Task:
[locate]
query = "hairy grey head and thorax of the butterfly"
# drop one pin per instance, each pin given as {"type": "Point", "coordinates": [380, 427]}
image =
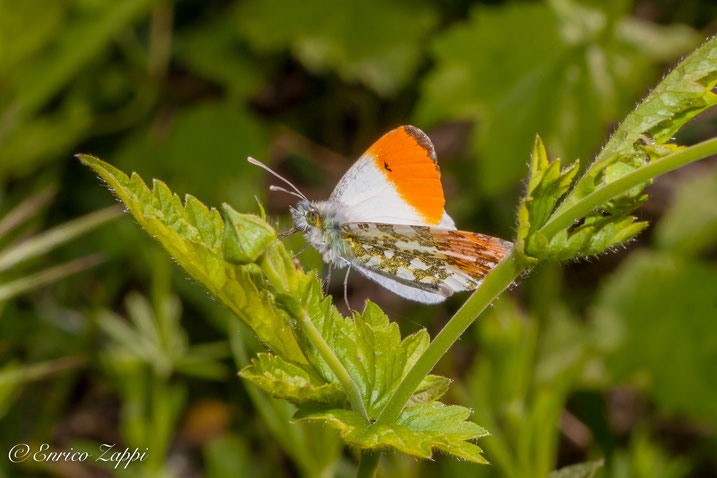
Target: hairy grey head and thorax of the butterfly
{"type": "Point", "coordinates": [320, 221]}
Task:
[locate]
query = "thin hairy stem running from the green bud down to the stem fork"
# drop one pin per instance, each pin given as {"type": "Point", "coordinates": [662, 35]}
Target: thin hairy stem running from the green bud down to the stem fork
{"type": "Point", "coordinates": [307, 326]}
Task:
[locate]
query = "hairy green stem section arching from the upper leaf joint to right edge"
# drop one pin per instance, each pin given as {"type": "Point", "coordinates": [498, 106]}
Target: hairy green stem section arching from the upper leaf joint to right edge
{"type": "Point", "coordinates": [563, 219]}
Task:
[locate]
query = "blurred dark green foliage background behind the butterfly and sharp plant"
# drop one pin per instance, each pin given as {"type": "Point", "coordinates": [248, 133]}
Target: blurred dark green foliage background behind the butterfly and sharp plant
{"type": "Point", "coordinates": [104, 340]}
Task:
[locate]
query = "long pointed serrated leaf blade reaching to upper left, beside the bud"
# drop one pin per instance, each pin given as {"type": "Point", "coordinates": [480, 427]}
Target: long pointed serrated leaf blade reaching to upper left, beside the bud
{"type": "Point", "coordinates": [193, 234]}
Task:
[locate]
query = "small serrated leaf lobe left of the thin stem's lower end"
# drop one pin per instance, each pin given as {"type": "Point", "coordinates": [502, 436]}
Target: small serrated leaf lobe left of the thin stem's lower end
{"type": "Point", "coordinates": [292, 383]}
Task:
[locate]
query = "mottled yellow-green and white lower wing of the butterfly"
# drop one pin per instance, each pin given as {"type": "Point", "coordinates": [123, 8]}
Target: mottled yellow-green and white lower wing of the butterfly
{"type": "Point", "coordinates": [437, 260]}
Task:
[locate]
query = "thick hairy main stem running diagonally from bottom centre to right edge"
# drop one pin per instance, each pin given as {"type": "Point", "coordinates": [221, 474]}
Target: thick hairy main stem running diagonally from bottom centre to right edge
{"type": "Point", "coordinates": [506, 272]}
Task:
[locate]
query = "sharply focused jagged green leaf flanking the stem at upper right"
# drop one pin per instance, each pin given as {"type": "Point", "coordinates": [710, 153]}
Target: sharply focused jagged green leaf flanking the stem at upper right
{"type": "Point", "coordinates": [643, 137]}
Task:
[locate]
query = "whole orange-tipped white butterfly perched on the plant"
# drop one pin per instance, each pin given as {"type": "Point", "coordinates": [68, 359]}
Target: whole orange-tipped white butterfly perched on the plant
{"type": "Point", "coordinates": [386, 219]}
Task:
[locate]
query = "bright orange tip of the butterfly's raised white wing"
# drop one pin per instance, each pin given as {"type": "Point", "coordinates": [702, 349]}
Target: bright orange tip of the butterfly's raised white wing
{"type": "Point", "coordinates": [407, 159]}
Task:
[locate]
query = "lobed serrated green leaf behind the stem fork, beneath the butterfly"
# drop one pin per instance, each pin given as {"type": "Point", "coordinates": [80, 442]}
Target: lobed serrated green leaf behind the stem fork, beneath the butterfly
{"type": "Point", "coordinates": [369, 346]}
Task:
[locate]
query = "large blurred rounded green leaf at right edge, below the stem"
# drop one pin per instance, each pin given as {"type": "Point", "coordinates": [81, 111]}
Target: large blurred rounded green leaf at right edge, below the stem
{"type": "Point", "coordinates": [654, 319]}
